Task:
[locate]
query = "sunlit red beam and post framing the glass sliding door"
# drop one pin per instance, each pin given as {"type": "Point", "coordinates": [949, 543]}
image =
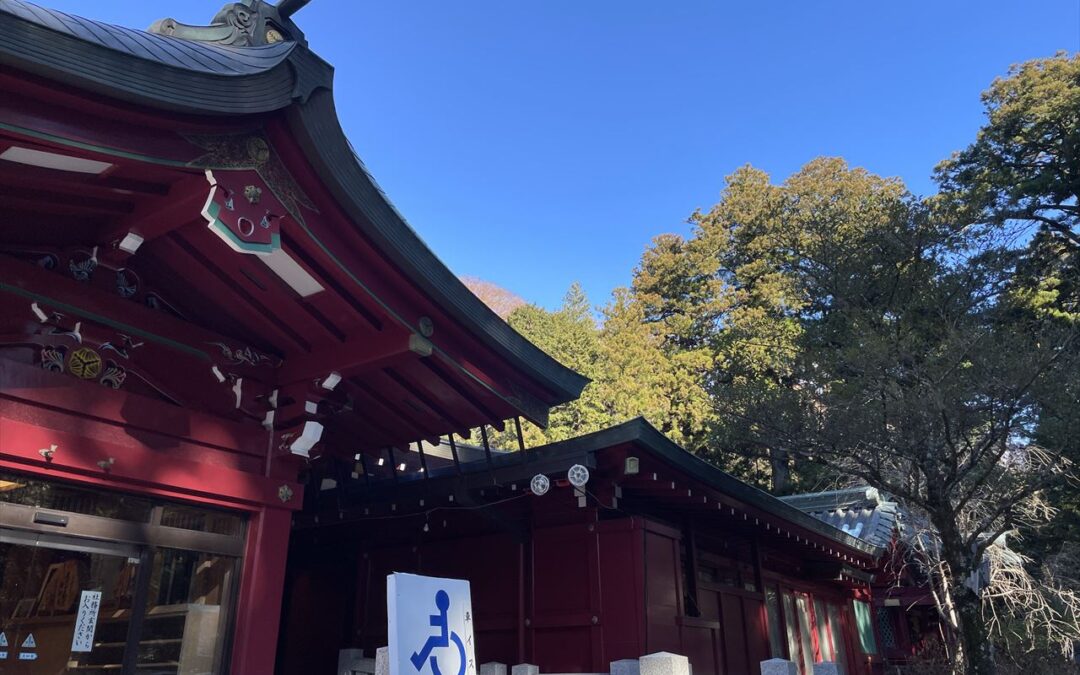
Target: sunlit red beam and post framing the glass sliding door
{"type": "Point", "coordinates": [163, 451]}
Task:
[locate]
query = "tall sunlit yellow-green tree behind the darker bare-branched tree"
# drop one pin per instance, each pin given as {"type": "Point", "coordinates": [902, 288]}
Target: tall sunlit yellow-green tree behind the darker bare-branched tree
{"type": "Point", "coordinates": [736, 296]}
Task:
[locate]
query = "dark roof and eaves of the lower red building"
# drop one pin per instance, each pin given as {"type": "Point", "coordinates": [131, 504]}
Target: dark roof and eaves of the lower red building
{"type": "Point", "coordinates": [660, 490]}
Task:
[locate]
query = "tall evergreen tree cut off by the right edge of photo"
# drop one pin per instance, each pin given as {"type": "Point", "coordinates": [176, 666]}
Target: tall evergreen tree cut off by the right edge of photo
{"type": "Point", "coordinates": [1022, 178]}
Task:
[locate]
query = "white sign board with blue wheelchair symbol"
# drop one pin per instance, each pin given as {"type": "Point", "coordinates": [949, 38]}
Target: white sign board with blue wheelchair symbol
{"type": "Point", "coordinates": [431, 626]}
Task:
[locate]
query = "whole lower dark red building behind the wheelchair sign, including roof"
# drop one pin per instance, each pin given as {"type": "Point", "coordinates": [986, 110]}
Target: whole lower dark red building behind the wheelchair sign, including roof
{"type": "Point", "coordinates": [659, 551]}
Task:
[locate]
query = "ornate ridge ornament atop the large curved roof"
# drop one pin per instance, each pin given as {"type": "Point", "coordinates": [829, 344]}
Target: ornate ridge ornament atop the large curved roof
{"type": "Point", "coordinates": [248, 23]}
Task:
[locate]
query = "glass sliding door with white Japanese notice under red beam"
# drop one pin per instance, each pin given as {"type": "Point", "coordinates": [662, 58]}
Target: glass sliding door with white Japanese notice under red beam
{"type": "Point", "coordinates": [93, 582]}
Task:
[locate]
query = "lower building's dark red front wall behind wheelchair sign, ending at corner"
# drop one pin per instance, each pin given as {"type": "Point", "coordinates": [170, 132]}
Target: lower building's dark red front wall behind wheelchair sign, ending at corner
{"type": "Point", "coordinates": [539, 599]}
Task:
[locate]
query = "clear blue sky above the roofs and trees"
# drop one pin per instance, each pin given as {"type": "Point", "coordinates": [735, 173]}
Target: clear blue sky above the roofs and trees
{"type": "Point", "coordinates": [536, 143]}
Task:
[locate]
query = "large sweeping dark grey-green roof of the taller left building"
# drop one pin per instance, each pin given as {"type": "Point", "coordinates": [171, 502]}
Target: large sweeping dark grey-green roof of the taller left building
{"type": "Point", "coordinates": [209, 78]}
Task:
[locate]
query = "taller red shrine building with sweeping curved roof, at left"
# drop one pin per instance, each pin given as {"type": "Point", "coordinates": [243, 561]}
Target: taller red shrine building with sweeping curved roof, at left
{"type": "Point", "coordinates": [202, 294]}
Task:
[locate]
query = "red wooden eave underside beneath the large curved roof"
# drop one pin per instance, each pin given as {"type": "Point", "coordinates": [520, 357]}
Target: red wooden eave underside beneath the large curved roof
{"type": "Point", "coordinates": [363, 326]}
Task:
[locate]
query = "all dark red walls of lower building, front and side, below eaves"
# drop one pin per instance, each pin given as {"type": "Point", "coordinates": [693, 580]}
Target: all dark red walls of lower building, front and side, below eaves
{"type": "Point", "coordinates": [570, 598]}
